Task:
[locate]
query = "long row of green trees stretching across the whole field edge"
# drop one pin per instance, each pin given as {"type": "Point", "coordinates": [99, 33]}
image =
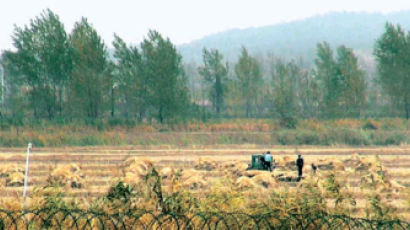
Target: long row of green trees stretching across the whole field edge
{"type": "Point", "coordinates": [52, 74]}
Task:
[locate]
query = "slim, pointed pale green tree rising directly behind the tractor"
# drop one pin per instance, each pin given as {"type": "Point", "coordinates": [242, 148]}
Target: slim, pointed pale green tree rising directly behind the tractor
{"type": "Point", "coordinates": [250, 80]}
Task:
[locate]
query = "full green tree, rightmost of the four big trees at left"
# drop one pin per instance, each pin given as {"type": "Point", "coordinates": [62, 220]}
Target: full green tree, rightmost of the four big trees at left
{"type": "Point", "coordinates": [163, 72]}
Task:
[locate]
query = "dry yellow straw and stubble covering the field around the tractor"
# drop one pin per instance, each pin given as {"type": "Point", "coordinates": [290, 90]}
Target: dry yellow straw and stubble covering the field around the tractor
{"type": "Point", "coordinates": [356, 177]}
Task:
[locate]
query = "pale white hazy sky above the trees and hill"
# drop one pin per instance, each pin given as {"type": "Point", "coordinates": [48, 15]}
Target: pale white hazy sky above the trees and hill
{"type": "Point", "coordinates": [181, 20]}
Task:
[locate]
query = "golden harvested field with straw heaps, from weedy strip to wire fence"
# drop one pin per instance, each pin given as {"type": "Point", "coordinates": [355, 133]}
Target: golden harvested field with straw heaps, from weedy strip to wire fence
{"type": "Point", "coordinates": [360, 181]}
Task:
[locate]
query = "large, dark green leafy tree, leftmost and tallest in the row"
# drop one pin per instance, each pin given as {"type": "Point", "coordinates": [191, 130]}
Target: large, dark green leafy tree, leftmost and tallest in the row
{"type": "Point", "coordinates": [43, 56]}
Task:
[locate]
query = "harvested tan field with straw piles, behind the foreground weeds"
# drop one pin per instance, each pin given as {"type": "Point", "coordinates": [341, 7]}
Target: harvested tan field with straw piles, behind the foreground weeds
{"type": "Point", "coordinates": [90, 172]}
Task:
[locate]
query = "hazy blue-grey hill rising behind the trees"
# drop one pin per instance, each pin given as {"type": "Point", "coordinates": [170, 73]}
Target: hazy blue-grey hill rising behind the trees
{"type": "Point", "coordinates": [299, 38]}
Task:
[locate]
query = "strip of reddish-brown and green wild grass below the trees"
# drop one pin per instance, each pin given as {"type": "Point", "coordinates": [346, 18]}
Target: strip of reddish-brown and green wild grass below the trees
{"type": "Point", "coordinates": [352, 132]}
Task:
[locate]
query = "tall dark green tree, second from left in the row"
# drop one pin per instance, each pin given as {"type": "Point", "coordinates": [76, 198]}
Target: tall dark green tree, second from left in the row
{"type": "Point", "coordinates": [91, 76]}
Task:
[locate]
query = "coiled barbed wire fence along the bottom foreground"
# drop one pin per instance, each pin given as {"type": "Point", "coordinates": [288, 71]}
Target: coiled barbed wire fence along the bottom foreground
{"type": "Point", "coordinates": [143, 219]}
